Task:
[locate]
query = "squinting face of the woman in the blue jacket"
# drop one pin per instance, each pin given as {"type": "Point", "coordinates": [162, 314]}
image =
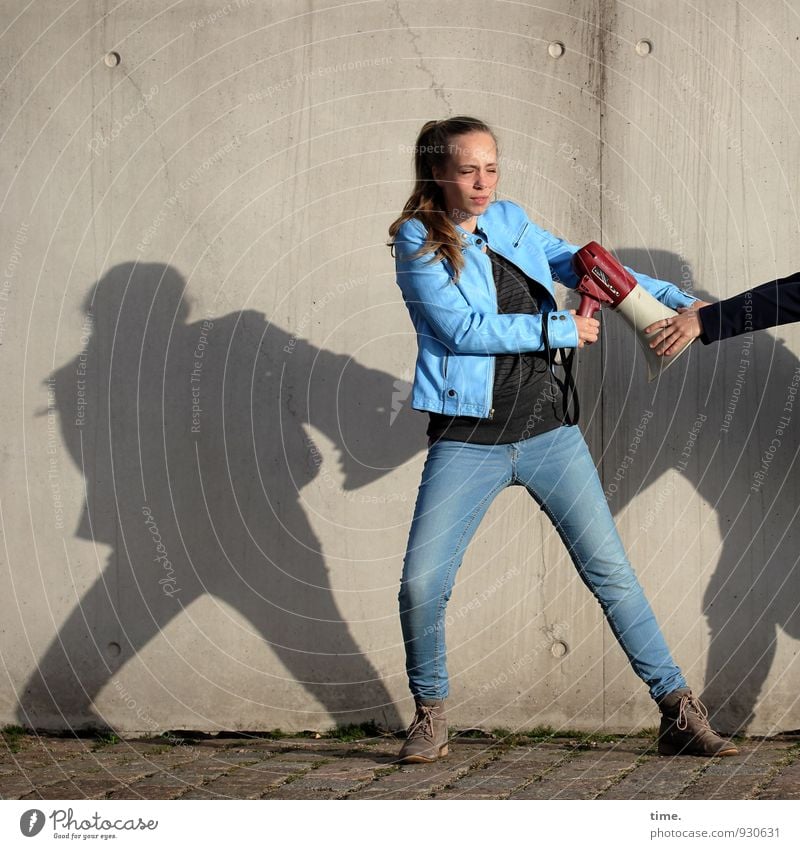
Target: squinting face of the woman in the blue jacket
{"type": "Point", "coordinates": [469, 178]}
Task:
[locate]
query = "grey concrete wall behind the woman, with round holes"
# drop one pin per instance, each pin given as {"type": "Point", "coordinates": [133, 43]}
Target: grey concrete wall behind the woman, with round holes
{"type": "Point", "coordinates": [209, 463]}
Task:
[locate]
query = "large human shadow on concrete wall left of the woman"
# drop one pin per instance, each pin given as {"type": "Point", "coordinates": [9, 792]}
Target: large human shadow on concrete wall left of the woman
{"type": "Point", "coordinates": [194, 455]}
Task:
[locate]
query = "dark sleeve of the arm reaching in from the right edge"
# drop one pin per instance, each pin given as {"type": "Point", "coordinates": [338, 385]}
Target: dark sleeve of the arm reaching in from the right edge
{"type": "Point", "coordinates": [768, 305]}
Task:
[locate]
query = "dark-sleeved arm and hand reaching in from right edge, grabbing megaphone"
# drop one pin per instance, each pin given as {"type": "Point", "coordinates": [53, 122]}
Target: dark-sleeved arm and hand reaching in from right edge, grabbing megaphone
{"type": "Point", "coordinates": [768, 305]}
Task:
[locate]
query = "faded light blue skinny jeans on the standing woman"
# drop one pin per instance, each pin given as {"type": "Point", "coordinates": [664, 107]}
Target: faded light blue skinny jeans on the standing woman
{"type": "Point", "coordinates": [459, 482]}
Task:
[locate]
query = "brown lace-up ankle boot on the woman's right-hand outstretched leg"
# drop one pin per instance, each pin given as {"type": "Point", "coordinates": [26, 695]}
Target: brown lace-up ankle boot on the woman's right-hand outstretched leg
{"type": "Point", "coordinates": [685, 729]}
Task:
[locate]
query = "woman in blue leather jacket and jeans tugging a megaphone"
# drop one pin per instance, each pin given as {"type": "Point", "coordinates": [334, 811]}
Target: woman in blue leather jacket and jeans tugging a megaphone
{"type": "Point", "coordinates": [477, 278]}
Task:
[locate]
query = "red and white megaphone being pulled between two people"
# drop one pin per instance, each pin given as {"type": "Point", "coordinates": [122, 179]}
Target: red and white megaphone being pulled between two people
{"type": "Point", "coordinates": [605, 281]}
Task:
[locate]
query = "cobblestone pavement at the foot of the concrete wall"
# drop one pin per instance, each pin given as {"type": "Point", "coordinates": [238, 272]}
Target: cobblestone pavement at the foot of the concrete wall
{"type": "Point", "coordinates": [247, 767]}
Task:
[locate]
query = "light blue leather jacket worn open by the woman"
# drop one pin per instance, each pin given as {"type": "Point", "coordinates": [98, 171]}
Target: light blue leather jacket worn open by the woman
{"type": "Point", "coordinates": [459, 329]}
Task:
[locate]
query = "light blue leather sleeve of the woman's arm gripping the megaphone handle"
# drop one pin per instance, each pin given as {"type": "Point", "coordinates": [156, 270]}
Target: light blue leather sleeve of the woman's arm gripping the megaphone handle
{"type": "Point", "coordinates": [427, 288]}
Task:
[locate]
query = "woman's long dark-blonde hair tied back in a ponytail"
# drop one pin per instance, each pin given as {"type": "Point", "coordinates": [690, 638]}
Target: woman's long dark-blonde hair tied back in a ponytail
{"type": "Point", "coordinates": [426, 202]}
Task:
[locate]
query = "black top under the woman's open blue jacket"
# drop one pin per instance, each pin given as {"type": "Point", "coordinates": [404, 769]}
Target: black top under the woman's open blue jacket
{"type": "Point", "coordinates": [526, 399]}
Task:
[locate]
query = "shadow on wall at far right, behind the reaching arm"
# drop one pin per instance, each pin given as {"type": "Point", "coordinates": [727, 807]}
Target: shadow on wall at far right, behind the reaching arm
{"type": "Point", "coordinates": [716, 416]}
